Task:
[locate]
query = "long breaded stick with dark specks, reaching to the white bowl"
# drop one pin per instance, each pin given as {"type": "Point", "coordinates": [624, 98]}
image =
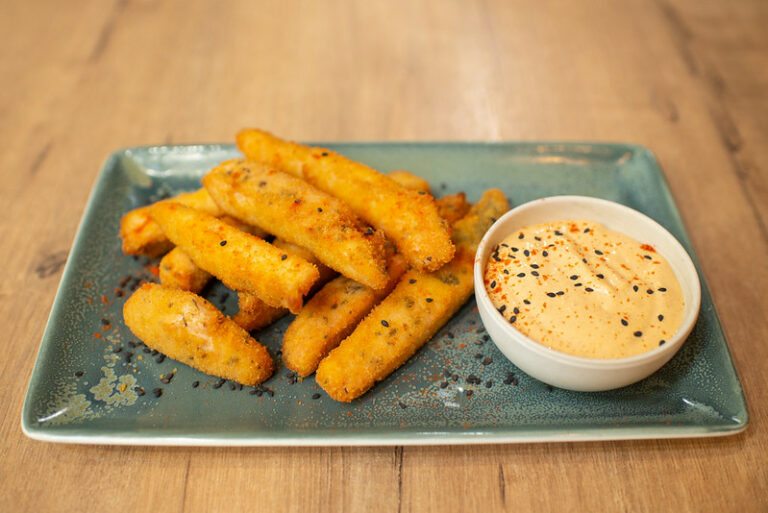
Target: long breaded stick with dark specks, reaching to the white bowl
{"type": "Point", "coordinates": [420, 304]}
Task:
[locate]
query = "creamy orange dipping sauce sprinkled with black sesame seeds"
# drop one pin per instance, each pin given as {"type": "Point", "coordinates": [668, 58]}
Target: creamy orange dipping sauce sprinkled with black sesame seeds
{"type": "Point", "coordinates": [582, 289]}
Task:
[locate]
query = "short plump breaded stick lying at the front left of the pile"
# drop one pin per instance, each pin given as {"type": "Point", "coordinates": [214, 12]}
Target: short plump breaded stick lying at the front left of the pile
{"type": "Point", "coordinates": [187, 328]}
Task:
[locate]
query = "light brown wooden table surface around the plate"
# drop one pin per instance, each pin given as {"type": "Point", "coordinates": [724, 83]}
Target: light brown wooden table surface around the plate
{"type": "Point", "coordinates": [687, 78]}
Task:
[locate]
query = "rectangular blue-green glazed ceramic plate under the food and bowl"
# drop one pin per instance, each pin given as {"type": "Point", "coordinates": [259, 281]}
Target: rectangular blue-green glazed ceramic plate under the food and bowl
{"type": "Point", "coordinates": [94, 383]}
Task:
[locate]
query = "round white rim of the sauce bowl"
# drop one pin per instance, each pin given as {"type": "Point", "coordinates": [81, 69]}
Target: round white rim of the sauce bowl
{"type": "Point", "coordinates": [691, 312]}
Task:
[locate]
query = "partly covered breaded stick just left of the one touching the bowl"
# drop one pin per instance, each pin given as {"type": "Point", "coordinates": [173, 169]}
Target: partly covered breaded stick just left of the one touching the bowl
{"type": "Point", "coordinates": [330, 316]}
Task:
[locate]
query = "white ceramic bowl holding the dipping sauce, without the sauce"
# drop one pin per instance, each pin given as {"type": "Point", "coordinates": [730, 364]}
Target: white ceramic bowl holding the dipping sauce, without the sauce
{"type": "Point", "coordinates": [575, 372]}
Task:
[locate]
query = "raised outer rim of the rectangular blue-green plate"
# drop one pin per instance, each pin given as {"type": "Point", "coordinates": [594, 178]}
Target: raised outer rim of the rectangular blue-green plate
{"type": "Point", "coordinates": [374, 438]}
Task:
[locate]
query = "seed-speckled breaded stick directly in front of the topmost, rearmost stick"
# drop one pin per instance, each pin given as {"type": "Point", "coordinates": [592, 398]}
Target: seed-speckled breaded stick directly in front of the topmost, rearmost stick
{"type": "Point", "coordinates": [295, 211]}
